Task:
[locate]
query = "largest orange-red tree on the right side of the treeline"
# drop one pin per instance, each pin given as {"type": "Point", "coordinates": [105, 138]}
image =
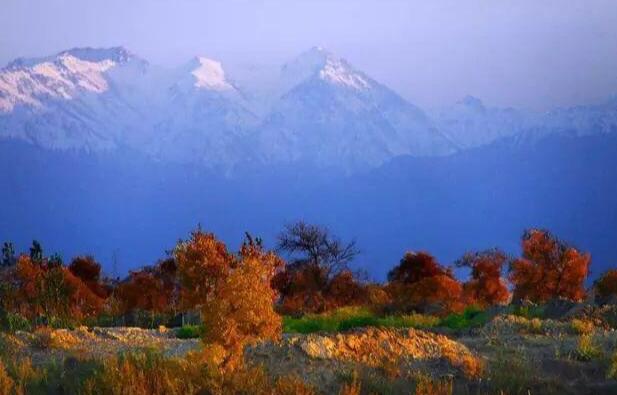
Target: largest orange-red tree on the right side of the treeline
{"type": "Point", "coordinates": [548, 268]}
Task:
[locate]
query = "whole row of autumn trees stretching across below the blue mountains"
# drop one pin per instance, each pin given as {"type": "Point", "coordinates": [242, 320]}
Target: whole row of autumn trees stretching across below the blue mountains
{"type": "Point", "coordinates": [314, 277]}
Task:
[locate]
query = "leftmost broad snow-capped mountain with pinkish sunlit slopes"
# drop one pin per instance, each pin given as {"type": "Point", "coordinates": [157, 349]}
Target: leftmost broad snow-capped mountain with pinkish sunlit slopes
{"type": "Point", "coordinates": [77, 99]}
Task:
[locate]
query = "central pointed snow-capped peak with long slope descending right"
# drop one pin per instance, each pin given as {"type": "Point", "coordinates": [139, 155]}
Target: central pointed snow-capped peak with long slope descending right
{"type": "Point", "coordinates": [334, 115]}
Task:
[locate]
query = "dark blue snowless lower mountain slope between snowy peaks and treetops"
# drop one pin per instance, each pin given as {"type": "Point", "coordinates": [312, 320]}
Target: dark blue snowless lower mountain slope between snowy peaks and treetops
{"type": "Point", "coordinates": [135, 208]}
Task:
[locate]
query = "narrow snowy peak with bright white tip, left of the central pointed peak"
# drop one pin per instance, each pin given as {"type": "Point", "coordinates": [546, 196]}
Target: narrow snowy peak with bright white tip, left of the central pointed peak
{"type": "Point", "coordinates": [206, 118]}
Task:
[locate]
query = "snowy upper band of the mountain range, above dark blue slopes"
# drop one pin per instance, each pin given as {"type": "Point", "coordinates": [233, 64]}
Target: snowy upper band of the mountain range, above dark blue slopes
{"type": "Point", "coordinates": [317, 109]}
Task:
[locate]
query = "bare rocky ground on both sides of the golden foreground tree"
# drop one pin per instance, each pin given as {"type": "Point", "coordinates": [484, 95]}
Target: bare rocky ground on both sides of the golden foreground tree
{"type": "Point", "coordinates": [511, 353]}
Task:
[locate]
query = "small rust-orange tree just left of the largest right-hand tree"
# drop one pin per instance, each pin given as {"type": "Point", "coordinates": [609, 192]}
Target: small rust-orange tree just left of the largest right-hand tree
{"type": "Point", "coordinates": [486, 287]}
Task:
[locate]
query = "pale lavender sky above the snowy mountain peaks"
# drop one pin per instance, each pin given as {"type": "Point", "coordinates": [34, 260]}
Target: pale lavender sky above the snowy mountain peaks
{"type": "Point", "coordinates": [527, 54]}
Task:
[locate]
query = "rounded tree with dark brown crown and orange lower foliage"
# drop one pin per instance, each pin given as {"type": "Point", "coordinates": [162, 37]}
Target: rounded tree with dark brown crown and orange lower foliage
{"type": "Point", "coordinates": [420, 283]}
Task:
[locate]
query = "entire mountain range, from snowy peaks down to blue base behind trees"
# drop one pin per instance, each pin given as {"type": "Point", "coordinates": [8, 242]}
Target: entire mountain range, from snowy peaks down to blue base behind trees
{"type": "Point", "coordinates": [102, 152]}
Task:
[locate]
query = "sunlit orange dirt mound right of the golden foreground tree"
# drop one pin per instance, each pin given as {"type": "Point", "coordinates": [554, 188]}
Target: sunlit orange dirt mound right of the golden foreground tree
{"type": "Point", "coordinates": [321, 359]}
